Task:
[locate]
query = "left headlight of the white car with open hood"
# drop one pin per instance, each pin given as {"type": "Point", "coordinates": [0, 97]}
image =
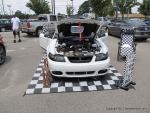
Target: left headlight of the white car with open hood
{"type": "Point", "coordinates": [57, 57]}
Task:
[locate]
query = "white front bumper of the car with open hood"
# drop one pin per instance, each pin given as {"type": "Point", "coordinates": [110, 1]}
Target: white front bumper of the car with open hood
{"type": "Point", "coordinates": [67, 69]}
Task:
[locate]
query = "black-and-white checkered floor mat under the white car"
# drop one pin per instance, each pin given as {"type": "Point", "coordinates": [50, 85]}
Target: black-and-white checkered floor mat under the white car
{"type": "Point", "coordinates": [106, 82]}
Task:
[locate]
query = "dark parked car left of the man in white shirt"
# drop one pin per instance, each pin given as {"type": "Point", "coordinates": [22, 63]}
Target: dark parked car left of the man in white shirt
{"type": "Point", "coordinates": [5, 24]}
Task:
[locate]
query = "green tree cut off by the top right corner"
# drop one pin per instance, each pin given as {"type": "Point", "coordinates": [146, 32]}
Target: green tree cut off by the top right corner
{"type": "Point", "coordinates": [145, 8]}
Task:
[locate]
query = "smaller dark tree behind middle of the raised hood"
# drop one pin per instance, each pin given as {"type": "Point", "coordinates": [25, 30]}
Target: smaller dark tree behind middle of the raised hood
{"type": "Point", "coordinates": [84, 8]}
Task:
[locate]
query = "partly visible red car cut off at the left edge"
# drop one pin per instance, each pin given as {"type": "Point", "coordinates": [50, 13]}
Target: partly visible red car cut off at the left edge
{"type": "Point", "coordinates": [2, 51]}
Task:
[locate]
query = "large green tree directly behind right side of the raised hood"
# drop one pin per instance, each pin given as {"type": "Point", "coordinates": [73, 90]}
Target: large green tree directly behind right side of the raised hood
{"type": "Point", "coordinates": [101, 7]}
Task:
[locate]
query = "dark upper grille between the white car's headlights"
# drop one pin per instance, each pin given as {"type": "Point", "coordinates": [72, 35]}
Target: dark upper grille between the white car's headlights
{"type": "Point", "coordinates": [83, 59]}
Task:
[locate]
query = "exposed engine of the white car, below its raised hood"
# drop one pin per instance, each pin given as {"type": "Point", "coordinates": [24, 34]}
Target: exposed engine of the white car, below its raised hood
{"type": "Point", "coordinates": [74, 46]}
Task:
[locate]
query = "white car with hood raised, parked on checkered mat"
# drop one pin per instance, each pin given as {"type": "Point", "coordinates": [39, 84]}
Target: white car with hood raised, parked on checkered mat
{"type": "Point", "coordinates": [76, 49]}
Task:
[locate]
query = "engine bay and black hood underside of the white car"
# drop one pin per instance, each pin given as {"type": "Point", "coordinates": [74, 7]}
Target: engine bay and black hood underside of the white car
{"type": "Point", "coordinates": [78, 44]}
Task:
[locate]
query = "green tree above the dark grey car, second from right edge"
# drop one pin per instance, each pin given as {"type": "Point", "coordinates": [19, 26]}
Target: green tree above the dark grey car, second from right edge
{"type": "Point", "coordinates": [124, 6]}
